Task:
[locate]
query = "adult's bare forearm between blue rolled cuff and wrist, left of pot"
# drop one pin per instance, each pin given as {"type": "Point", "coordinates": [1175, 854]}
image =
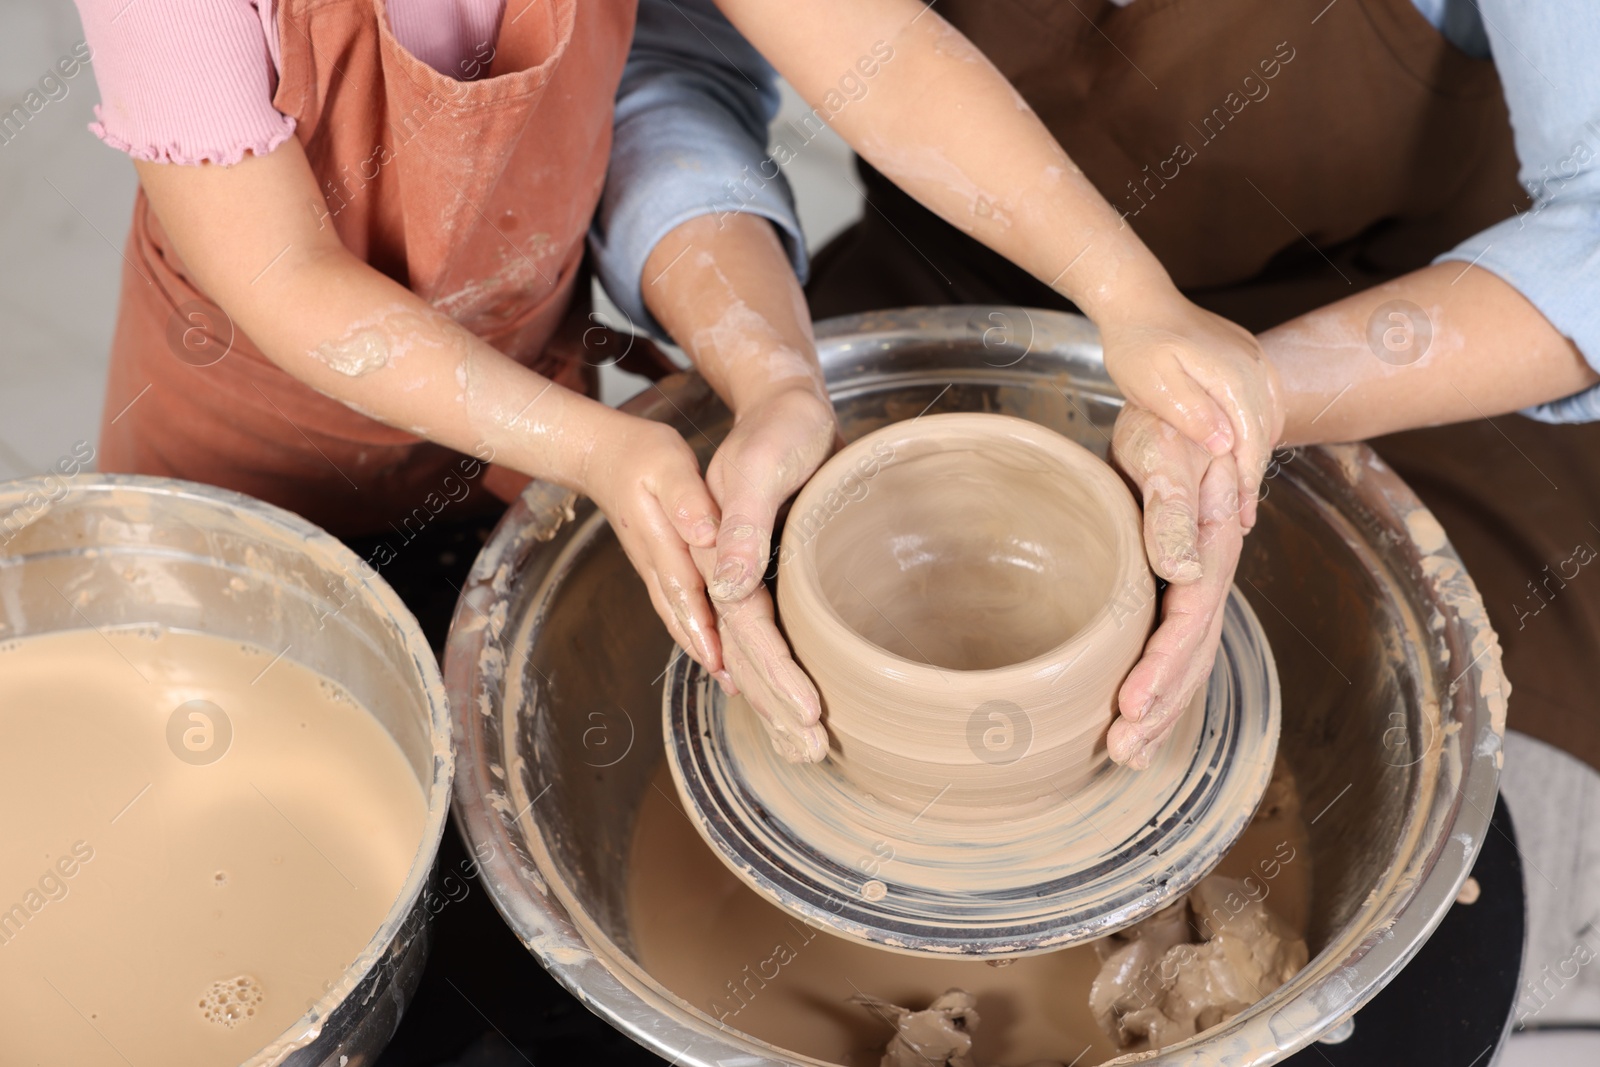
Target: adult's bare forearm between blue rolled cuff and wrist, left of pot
{"type": "Point", "coordinates": [726, 292]}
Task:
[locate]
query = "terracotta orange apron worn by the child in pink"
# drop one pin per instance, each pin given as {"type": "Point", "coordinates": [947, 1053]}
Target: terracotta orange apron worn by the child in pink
{"type": "Point", "coordinates": [476, 196]}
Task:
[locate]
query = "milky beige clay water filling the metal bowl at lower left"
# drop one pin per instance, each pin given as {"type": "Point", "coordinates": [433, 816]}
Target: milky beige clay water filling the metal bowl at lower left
{"type": "Point", "coordinates": [199, 839]}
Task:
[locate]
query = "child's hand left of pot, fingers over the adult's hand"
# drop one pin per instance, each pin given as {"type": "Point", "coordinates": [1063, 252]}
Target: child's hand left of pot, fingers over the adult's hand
{"type": "Point", "coordinates": [646, 479]}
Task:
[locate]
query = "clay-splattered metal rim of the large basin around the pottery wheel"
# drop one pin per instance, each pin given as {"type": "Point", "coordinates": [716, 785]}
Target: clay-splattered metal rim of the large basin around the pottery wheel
{"type": "Point", "coordinates": [1353, 490]}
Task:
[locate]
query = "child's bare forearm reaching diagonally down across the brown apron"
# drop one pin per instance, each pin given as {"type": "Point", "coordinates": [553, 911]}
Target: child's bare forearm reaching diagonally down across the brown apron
{"type": "Point", "coordinates": [938, 119]}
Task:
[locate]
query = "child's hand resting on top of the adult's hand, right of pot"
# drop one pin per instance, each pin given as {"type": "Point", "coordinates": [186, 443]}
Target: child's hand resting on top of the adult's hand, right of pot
{"type": "Point", "coordinates": [1207, 378]}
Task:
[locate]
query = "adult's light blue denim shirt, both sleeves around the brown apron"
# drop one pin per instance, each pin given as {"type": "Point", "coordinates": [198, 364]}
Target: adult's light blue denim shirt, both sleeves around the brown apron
{"type": "Point", "coordinates": [697, 100]}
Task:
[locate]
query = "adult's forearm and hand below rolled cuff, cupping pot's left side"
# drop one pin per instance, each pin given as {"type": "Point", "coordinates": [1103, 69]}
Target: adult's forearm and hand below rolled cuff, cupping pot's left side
{"type": "Point", "coordinates": [726, 290]}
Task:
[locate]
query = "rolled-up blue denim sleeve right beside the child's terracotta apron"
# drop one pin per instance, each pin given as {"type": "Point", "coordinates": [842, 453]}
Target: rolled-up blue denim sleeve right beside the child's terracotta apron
{"type": "Point", "coordinates": [690, 140]}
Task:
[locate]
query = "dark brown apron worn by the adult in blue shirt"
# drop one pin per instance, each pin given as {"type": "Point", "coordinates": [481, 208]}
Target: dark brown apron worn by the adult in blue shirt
{"type": "Point", "coordinates": [1234, 135]}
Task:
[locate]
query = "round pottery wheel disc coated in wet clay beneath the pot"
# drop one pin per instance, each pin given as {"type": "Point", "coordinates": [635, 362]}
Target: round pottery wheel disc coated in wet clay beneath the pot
{"type": "Point", "coordinates": [943, 884]}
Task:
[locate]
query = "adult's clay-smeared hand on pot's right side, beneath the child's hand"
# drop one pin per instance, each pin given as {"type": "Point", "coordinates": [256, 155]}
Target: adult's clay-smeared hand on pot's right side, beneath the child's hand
{"type": "Point", "coordinates": [1193, 537]}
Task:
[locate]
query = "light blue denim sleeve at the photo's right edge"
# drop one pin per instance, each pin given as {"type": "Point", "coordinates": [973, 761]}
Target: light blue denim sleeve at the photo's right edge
{"type": "Point", "coordinates": [1546, 54]}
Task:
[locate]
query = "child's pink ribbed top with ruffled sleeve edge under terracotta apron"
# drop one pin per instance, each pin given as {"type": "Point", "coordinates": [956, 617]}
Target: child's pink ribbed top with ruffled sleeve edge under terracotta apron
{"type": "Point", "coordinates": [193, 81]}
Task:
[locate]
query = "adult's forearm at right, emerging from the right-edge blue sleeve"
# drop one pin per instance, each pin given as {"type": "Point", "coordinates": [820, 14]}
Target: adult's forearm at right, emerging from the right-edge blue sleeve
{"type": "Point", "coordinates": [1442, 345]}
